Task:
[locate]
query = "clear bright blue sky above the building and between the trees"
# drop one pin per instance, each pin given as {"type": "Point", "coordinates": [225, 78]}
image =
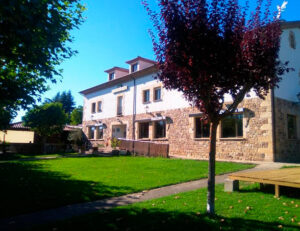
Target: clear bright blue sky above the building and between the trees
{"type": "Point", "coordinates": [115, 31]}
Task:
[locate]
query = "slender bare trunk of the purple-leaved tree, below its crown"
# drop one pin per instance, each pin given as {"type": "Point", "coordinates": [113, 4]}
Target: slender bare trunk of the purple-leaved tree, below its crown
{"type": "Point", "coordinates": [212, 169]}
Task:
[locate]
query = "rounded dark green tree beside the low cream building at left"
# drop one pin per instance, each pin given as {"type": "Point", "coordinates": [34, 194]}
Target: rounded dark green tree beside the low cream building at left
{"type": "Point", "coordinates": [47, 119]}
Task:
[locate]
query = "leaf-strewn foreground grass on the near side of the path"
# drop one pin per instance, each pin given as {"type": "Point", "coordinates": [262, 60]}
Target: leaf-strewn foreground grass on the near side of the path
{"type": "Point", "coordinates": [249, 209]}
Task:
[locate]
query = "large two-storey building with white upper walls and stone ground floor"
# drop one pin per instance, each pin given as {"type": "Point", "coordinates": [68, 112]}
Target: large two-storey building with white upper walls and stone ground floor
{"type": "Point", "coordinates": [132, 104]}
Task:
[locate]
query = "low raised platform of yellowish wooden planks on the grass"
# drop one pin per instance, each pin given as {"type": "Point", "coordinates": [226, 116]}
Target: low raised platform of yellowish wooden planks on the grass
{"type": "Point", "coordinates": [289, 177]}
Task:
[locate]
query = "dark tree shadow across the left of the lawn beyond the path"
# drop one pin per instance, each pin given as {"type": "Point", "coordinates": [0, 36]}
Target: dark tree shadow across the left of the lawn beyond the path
{"type": "Point", "coordinates": [27, 187]}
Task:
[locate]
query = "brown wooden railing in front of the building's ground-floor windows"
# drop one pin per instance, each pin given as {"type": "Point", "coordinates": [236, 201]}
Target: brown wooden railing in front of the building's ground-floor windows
{"type": "Point", "coordinates": [143, 148]}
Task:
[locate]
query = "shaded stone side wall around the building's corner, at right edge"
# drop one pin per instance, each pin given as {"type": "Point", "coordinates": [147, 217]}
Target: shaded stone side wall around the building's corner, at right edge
{"type": "Point", "coordinates": [287, 150]}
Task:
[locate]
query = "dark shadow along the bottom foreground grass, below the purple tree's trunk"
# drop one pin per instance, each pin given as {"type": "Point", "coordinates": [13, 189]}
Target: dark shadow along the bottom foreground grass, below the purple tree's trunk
{"type": "Point", "coordinates": [158, 219]}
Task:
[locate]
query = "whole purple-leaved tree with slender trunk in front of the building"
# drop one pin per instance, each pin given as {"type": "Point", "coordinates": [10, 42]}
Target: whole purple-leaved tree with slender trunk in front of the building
{"type": "Point", "coordinates": [207, 49]}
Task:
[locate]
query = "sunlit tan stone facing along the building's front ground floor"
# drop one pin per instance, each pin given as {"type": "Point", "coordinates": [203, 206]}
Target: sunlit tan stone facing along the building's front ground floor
{"type": "Point", "coordinates": [256, 143]}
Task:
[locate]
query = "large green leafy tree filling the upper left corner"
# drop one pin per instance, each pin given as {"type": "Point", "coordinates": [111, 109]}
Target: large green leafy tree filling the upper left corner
{"type": "Point", "coordinates": [34, 41]}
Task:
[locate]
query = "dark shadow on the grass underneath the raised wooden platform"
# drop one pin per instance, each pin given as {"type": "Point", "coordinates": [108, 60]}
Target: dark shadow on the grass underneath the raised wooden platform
{"type": "Point", "coordinates": [270, 189]}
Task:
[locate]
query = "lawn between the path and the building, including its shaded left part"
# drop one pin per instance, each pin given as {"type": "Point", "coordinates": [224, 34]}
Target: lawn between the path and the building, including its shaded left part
{"type": "Point", "coordinates": [28, 186]}
